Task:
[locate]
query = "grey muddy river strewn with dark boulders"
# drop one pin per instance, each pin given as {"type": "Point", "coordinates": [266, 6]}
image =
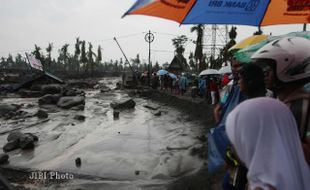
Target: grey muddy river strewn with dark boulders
{"type": "Point", "coordinates": [137, 151]}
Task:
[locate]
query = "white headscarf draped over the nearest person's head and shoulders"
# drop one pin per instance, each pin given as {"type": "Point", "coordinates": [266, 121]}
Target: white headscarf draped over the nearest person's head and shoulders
{"type": "Point", "coordinates": [264, 133]}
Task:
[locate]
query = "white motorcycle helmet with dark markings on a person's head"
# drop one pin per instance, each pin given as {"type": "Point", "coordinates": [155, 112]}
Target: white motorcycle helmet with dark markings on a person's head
{"type": "Point", "coordinates": [289, 56]}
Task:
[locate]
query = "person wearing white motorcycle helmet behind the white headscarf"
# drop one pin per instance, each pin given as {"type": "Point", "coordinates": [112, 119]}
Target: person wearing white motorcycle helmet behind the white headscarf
{"type": "Point", "coordinates": [288, 61]}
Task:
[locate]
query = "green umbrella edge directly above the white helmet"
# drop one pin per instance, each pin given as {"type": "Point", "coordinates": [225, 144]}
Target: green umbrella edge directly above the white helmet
{"type": "Point", "coordinates": [244, 55]}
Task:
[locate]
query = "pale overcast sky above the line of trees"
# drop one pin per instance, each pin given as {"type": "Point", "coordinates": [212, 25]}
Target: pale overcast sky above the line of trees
{"type": "Point", "coordinates": [28, 22]}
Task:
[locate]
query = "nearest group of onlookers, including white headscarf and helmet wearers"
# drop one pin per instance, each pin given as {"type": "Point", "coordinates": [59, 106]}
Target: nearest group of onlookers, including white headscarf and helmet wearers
{"type": "Point", "coordinates": [262, 130]}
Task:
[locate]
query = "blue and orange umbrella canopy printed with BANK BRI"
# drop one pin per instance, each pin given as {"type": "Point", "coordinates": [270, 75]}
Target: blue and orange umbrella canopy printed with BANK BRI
{"type": "Point", "coordinates": [246, 12]}
